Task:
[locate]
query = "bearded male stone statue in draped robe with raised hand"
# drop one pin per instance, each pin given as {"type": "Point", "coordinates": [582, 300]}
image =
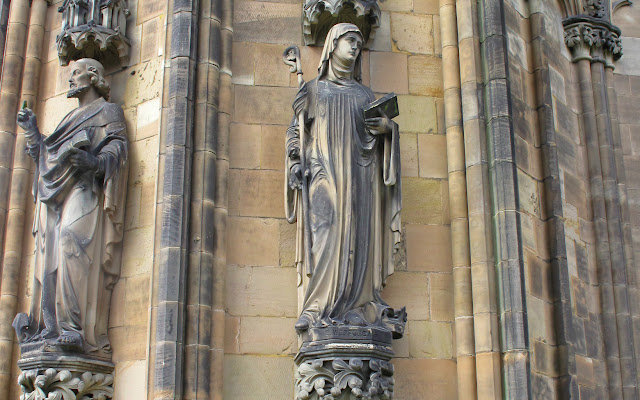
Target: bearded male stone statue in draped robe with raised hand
{"type": "Point", "coordinates": [79, 190]}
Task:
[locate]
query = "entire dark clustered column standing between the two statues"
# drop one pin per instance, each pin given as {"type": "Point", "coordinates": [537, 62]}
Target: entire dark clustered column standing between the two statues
{"type": "Point", "coordinates": [188, 288]}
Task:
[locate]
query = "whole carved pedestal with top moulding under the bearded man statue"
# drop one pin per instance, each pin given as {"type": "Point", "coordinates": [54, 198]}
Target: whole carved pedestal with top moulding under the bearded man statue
{"type": "Point", "coordinates": [65, 377]}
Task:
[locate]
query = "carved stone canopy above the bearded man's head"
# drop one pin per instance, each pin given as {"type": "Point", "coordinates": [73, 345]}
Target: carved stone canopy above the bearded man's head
{"type": "Point", "coordinates": [94, 29]}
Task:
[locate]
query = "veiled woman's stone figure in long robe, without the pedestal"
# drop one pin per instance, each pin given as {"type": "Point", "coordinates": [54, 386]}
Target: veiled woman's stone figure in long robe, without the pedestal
{"type": "Point", "coordinates": [352, 176]}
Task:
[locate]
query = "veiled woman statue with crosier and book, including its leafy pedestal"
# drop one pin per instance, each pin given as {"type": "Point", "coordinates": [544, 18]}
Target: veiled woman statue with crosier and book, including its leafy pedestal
{"type": "Point", "coordinates": [343, 189]}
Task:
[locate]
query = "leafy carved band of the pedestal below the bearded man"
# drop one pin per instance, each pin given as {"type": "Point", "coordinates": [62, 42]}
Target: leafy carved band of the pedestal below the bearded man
{"type": "Point", "coordinates": [53, 384]}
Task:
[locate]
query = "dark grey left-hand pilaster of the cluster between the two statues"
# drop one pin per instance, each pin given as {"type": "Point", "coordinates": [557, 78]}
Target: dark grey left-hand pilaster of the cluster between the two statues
{"type": "Point", "coordinates": [166, 375]}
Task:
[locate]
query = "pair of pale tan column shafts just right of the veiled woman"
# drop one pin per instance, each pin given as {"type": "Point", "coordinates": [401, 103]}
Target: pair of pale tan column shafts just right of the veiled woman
{"type": "Point", "coordinates": [476, 298]}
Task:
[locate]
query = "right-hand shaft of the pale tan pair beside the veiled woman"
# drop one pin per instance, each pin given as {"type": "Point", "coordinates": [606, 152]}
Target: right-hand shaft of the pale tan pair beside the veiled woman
{"type": "Point", "coordinates": [485, 317]}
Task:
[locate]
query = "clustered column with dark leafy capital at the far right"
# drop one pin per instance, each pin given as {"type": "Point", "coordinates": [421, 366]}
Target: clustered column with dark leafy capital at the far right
{"type": "Point", "coordinates": [594, 45]}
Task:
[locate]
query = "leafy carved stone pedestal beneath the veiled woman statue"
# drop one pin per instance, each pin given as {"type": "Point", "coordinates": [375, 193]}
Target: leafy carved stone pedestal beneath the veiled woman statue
{"type": "Point", "coordinates": [344, 363]}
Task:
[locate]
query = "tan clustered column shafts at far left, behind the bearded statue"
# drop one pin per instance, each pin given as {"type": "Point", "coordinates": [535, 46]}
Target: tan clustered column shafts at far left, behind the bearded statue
{"type": "Point", "coordinates": [24, 22]}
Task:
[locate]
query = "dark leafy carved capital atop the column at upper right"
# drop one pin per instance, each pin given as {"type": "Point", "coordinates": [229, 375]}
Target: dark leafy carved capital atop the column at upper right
{"type": "Point", "coordinates": [592, 39]}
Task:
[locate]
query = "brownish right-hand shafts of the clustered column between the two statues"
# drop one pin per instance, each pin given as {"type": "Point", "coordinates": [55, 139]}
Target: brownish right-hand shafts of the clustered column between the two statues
{"type": "Point", "coordinates": [204, 348]}
